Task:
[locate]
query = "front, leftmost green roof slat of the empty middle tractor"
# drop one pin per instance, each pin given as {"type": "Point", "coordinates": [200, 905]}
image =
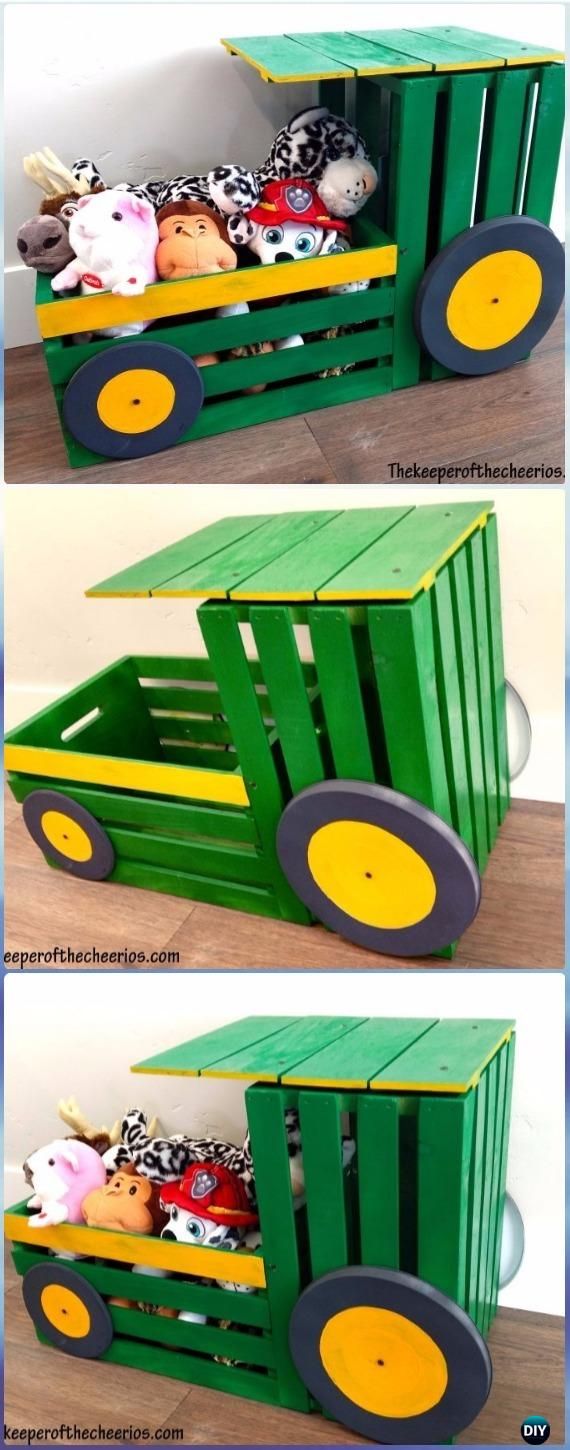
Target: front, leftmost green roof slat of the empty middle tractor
{"type": "Point", "coordinates": [168, 563]}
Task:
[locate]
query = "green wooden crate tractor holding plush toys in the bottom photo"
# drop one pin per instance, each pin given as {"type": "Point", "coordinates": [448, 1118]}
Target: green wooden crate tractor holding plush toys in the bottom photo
{"type": "Point", "coordinates": [375, 1293]}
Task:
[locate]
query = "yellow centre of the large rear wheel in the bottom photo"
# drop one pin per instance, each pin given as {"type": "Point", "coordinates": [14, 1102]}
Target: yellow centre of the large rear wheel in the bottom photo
{"type": "Point", "coordinates": [384, 1362]}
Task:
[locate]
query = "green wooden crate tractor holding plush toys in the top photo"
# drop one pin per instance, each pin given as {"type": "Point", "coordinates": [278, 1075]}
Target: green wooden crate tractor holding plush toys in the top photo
{"type": "Point", "coordinates": [466, 276]}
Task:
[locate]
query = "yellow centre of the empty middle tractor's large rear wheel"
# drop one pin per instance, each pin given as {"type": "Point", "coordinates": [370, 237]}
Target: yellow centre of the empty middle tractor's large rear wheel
{"type": "Point", "coordinates": [372, 875]}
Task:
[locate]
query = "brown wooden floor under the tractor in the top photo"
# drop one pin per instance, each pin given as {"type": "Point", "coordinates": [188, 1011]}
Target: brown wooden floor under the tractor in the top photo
{"type": "Point", "coordinates": [514, 417]}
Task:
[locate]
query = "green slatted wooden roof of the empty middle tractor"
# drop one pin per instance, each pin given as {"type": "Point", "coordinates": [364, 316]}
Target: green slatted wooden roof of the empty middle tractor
{"type": "Point", "coordinates": [353, 555]}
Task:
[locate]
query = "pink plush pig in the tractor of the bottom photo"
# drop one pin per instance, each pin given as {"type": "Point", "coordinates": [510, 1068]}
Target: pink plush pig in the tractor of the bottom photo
{"type": "Point", "coordinates": [62, 1177]}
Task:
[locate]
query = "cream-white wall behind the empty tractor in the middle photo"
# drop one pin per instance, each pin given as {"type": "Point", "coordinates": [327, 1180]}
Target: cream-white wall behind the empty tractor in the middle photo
{"type": "Point", "coordinates": [56, 639]}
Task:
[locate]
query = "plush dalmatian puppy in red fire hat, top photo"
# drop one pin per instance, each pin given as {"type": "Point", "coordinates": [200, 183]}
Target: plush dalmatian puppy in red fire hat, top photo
{"type": "Point", "coordinates": [288, 224]}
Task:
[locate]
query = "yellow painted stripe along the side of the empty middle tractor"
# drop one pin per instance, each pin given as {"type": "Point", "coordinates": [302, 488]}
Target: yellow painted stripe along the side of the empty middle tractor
{"type": "Point", "coordinates": [130, 775]}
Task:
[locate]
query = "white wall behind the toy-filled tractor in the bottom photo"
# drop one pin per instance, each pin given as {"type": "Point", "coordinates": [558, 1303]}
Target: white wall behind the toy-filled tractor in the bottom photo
{"type": "Point", "coordinates": [75, 1033]}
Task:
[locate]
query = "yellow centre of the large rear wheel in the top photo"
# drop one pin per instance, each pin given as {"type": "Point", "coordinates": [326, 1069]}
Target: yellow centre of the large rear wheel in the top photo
{"type": "Point", "coordinates": [495, 301]}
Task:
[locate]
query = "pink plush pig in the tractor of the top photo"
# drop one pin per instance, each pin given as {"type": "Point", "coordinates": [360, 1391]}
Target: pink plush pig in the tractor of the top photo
{"type": "Point", "coordinates": [115, 239]}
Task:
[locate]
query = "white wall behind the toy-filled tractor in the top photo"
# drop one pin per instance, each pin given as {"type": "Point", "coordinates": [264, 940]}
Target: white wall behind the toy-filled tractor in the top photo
{"type": "Point", "coordinates": [147, 91]}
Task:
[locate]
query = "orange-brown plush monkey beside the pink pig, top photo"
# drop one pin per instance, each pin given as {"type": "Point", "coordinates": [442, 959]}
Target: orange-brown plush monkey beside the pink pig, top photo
{"type": "Point", "coordinates": [194, 241]}
